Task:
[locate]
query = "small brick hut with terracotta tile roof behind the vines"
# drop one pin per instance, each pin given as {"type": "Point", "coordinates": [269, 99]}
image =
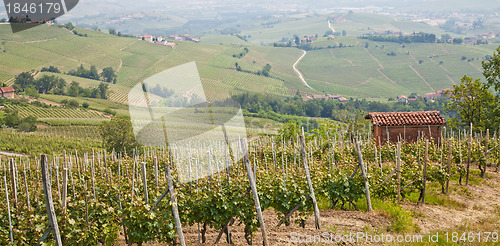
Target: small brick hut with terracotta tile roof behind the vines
{"type": "Point", "coordinates": [406, 126]}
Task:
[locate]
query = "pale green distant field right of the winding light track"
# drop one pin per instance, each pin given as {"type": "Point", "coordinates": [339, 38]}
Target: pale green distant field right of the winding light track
{"type": "Point", "coordinates": [370, 72]}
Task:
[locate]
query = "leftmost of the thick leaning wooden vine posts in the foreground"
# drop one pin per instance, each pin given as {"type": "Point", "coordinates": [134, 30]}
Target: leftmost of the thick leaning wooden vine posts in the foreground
{"type": "Point", "coordinates": [51, 214]}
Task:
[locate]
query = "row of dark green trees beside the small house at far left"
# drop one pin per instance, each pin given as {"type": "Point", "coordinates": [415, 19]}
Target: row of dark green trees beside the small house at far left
{"type": "Point", "coordinates": [51, 84]}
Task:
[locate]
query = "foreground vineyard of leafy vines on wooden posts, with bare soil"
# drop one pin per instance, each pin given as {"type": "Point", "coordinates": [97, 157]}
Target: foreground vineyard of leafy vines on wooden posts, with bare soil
{"type": "Point", "coordinates": [113, 198]}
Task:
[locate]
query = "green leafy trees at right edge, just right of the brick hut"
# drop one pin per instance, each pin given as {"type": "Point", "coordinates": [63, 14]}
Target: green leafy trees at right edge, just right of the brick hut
{"type": "Point", "coordinates": [473, 101]}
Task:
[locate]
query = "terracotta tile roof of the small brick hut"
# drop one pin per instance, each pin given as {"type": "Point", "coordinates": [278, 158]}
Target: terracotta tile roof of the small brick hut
{"type": "Point", "coordinates": [406, 118]}
